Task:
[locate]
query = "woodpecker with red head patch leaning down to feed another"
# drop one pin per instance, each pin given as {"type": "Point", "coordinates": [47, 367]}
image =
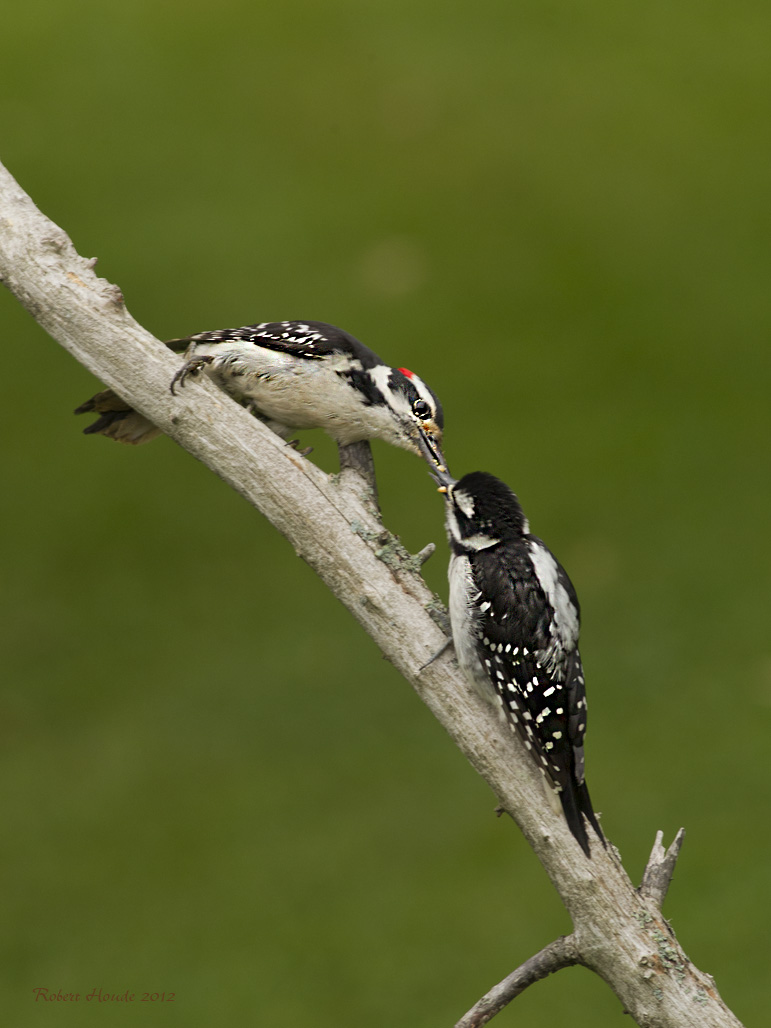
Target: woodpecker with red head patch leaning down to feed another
{"type": "Point", "coordinates": [296, 375]}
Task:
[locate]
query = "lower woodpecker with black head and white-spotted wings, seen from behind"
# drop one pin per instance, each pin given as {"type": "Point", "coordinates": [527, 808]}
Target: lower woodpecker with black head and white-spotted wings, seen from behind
{"type": "Point", "coordinates": [516, 622]}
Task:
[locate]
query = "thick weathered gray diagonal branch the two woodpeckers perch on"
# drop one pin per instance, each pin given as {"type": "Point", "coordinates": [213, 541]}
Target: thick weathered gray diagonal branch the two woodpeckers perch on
{"type": "Point", "coordinates": [618, 932]}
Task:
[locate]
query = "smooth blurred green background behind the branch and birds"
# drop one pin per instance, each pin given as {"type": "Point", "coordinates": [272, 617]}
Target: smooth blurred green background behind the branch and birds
{"type": "Point", "coordinates": [560, 216]}
